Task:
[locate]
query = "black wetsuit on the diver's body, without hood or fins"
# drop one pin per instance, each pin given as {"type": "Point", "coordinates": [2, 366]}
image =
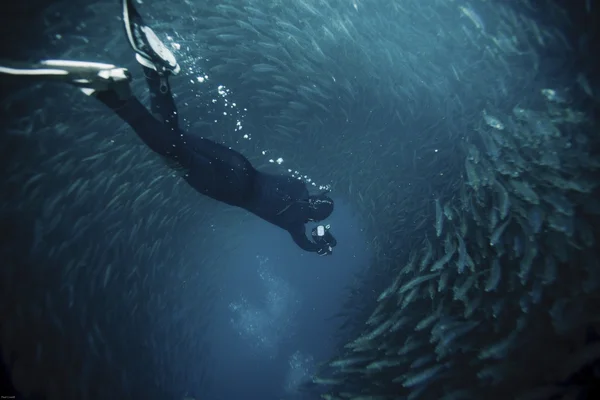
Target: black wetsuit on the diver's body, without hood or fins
{"type": "Point", "coordinates": [213, 169]}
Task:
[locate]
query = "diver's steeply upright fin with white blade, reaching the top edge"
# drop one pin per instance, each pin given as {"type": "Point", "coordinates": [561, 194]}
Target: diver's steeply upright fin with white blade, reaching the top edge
{"type": "Point", "coordinates": [150, 51]}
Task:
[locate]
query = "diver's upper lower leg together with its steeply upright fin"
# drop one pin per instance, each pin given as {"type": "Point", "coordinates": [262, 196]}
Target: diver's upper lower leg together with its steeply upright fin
{"type": "Point", "coordinates": [158, 63]}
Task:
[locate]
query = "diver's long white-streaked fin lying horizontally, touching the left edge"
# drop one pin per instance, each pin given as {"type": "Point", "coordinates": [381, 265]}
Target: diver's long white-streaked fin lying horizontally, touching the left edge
{"type": "Point", "coordinates": [90, 77]}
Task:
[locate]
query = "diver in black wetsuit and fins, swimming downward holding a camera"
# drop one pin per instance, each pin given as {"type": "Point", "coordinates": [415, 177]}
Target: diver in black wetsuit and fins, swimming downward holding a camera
{"type": "Point", "coordinates": [211, 168]}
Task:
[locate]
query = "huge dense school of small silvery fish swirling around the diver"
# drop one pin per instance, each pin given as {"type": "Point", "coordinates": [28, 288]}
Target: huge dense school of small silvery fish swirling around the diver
{"type": "Point", "coordinates": [490, 195]}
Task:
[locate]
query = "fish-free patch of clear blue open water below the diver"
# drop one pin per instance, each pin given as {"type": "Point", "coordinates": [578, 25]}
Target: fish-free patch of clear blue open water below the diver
{"type": "Point", "coordinates": [290, 308]}
